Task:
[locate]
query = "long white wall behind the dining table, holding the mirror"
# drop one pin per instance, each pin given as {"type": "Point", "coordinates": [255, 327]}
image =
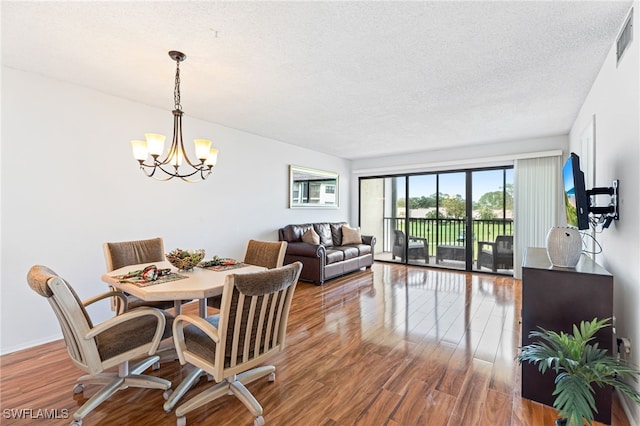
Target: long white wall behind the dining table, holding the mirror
{"type": "Point", "coordinates": [70, 183]}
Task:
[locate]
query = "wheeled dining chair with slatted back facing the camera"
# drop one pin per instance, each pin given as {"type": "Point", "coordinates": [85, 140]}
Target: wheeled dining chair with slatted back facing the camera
{"type": "Point", "coordinates": [232, 345]}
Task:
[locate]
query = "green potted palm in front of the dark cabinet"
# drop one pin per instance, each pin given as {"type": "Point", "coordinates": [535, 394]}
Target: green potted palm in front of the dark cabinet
{"type": "Point", "coordinates": [578, 365]}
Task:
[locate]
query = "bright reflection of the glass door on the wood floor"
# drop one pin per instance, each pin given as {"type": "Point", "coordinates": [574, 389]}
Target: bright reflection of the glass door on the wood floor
{"type": "Point", "coordinates": [473, 313]}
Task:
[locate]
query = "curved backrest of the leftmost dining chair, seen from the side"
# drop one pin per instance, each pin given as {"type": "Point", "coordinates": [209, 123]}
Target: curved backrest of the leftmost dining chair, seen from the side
{"type": "Point", "coordinates": [72, 316]}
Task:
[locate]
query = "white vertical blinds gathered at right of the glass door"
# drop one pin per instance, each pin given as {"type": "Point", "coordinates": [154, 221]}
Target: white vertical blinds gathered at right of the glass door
{"type": "Point", "coordinates": [538, 203]}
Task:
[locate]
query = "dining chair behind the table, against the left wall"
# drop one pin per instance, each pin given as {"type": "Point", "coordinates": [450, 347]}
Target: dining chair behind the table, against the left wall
{"type": "Point", "coordinates": [120, 254]}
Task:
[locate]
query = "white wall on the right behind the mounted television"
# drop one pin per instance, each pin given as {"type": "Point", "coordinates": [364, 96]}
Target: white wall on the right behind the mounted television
{"type": "Point", "coordinates": [614, 100]}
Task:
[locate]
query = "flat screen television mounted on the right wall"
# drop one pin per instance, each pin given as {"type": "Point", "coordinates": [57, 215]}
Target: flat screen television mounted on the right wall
{"type": "Point", "coordinates": [575, 195]}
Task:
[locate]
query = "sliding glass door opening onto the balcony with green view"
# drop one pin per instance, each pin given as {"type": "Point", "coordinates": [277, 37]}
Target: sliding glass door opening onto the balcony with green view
{"type": "Point", "coordinates": [457, 220]}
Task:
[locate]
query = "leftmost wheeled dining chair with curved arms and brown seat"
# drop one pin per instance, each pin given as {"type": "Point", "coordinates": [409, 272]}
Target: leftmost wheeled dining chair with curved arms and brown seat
{"type": "Point", "coordinates": [95, 348]}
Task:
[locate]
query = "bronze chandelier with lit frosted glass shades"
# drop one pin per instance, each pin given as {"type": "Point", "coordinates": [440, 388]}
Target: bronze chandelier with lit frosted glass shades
{"type": "Point", "coordinates": [172, 164]}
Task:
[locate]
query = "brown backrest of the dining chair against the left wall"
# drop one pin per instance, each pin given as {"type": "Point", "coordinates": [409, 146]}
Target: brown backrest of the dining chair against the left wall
{"type": "Point", "coordinates": [119, 254]}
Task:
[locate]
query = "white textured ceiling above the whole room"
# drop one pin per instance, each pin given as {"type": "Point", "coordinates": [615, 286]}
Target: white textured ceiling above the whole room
{"type": "Point", "coordinates": [352, 79]}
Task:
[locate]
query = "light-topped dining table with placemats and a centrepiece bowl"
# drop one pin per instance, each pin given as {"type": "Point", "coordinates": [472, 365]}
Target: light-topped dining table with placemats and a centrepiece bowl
{"type": "Point", "coordinates": [199, 283]}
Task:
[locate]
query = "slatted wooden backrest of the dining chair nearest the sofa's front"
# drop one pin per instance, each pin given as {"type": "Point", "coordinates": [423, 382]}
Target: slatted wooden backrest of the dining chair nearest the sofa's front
{"type": "Point", "coordinates": [253, 316]}
